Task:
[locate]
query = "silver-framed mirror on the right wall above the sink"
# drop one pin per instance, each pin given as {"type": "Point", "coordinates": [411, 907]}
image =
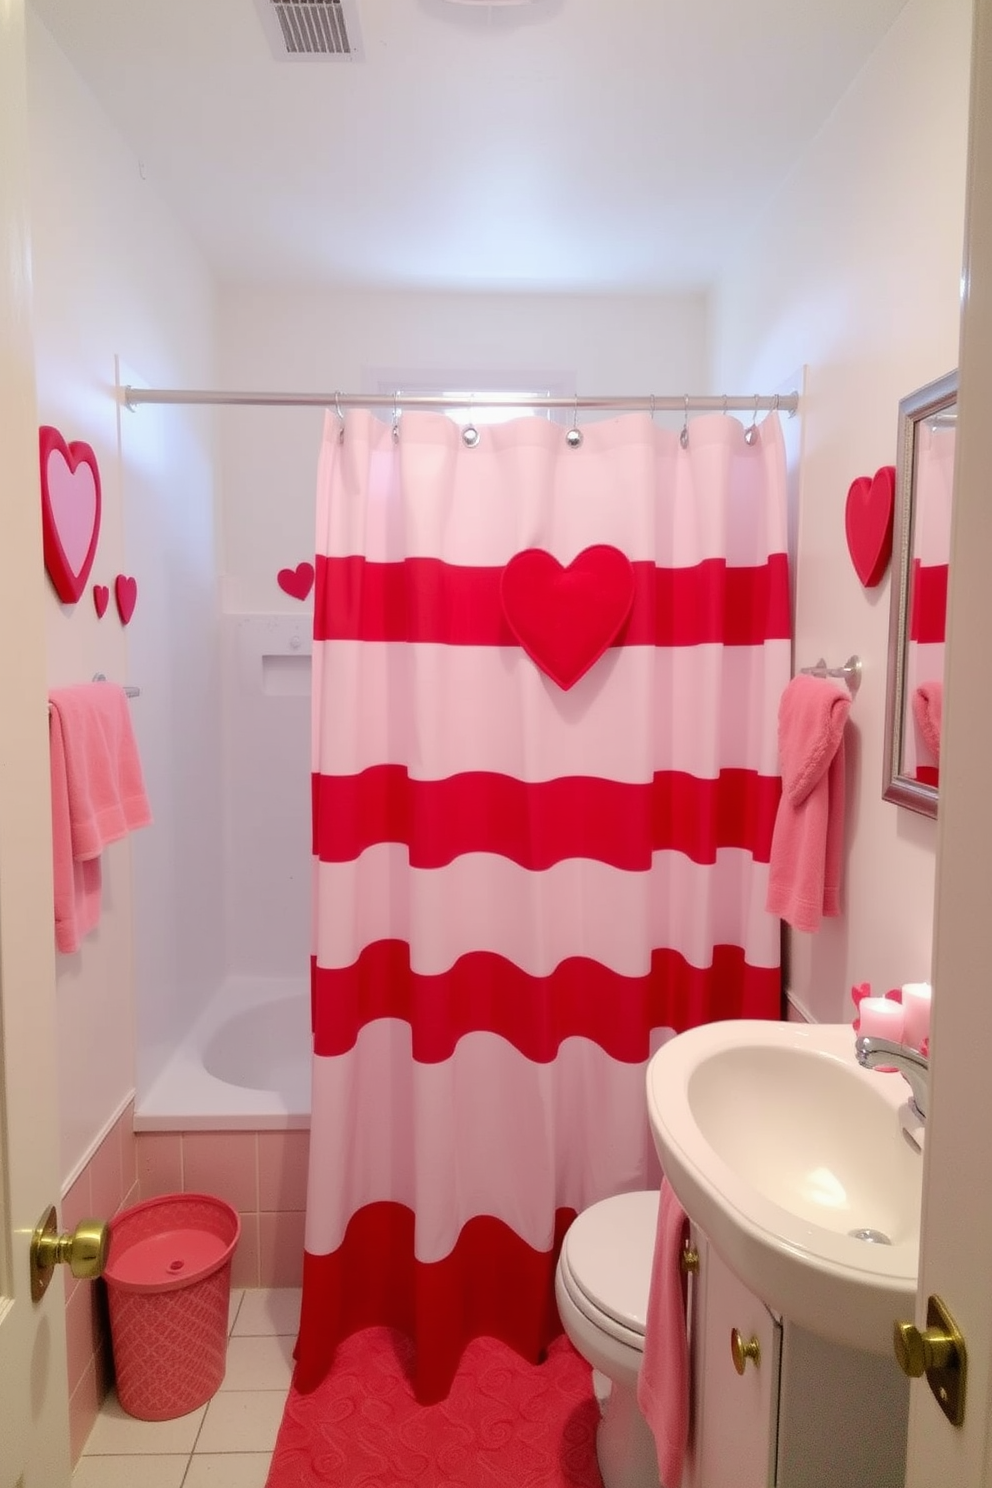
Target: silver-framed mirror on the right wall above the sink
{"type": "Point", "coordinates": [918, 596]}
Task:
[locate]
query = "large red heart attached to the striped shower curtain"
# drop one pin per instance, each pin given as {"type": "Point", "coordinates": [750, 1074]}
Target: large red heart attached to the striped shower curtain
{"type": "Point", "coordinates": [567, 617]}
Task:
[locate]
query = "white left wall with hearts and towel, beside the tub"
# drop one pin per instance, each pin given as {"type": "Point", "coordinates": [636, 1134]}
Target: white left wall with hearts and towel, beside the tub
{"type": "Point", "coordinates": [115, 276]}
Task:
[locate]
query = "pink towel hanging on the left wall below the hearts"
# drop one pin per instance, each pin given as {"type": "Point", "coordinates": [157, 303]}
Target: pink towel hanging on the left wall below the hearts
{"type": "Point", "coordinates": [97, 798]}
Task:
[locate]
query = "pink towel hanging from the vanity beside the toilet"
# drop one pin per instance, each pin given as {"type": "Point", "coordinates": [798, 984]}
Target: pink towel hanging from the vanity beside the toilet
{"type": "Point", "coordinates": [663, 1388]}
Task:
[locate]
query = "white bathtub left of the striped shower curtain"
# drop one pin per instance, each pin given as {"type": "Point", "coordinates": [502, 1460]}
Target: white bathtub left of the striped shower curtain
{"type": "Point", "coordinates": [243, 1066]}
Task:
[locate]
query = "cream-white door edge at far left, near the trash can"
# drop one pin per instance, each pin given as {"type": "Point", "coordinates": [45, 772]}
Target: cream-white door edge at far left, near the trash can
{"type": "Point", "coordinates": [33, 1392]}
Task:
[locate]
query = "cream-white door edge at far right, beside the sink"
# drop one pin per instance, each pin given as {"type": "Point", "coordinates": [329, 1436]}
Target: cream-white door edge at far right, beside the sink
{"type": "Point", "coordinates": [957, 1248]}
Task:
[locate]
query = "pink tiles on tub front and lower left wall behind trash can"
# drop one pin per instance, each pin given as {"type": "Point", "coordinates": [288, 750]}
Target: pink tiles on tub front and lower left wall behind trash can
{"type": "Point", "coordinates": [263, 1175]}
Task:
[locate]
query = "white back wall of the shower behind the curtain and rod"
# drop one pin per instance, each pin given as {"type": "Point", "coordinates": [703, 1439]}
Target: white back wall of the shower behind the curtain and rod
{"type": "Point", "coordinates": [321, 341]}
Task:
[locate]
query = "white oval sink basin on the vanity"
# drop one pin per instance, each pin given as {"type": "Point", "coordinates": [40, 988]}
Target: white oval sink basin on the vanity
{"type": "Point", "coordinates": [786, 1154]}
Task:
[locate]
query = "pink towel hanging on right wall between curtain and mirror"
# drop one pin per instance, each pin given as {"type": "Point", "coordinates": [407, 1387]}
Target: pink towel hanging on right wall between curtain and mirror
{"type": "Point", "coordinates": [808, 837]}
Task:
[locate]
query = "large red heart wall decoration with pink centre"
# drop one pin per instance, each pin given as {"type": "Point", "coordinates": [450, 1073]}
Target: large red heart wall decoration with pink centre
{"type": "Point", "coordinates": [71, 511]}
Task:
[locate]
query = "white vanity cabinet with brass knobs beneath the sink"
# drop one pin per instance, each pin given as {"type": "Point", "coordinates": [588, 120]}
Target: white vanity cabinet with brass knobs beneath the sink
{"type": "Point", "coordinates": [804, 1414]}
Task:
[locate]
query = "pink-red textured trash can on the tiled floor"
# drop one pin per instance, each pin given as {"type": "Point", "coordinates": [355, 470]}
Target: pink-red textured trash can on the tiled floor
{"type": "Point", "coordinates": [169, 1285]}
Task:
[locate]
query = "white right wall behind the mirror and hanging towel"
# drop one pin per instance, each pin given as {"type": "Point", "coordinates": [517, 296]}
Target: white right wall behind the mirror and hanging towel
{"type": "Point", "coordinates": [856, 272]}
